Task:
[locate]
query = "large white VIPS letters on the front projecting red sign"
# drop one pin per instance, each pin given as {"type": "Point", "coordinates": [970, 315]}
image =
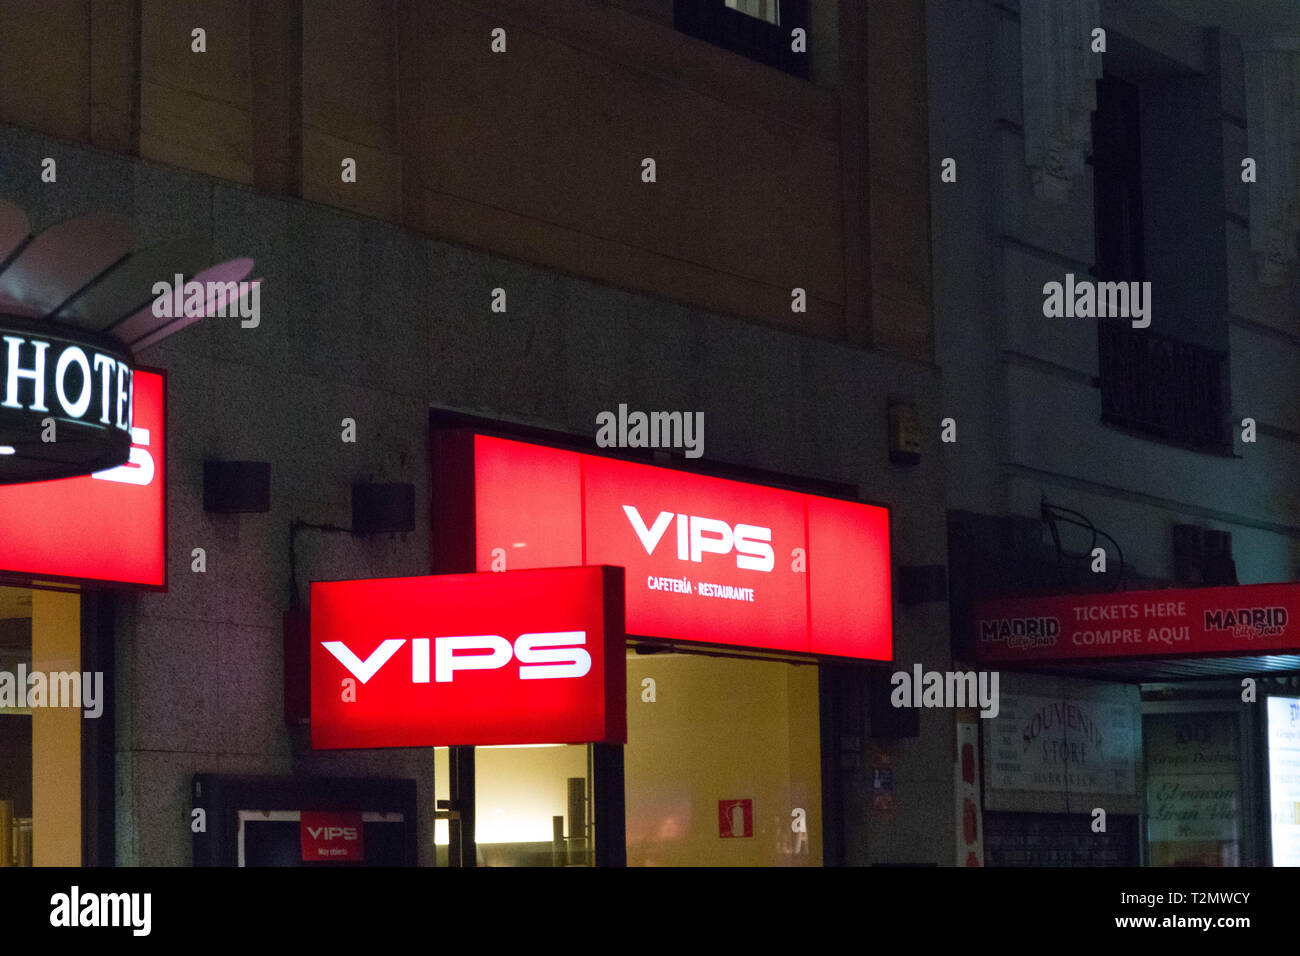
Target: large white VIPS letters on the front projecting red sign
{"type": "Point", "coordinates": [543, 656]}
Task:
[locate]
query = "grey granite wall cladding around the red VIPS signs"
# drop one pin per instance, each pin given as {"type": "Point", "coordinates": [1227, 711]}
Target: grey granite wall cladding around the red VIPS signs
{"type": "Point", "coordinates": [365, 321]}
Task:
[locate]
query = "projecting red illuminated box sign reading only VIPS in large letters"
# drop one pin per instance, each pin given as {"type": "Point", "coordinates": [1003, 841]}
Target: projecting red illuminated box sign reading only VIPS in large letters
{"type": "Point", "coordinates": [528, 657]}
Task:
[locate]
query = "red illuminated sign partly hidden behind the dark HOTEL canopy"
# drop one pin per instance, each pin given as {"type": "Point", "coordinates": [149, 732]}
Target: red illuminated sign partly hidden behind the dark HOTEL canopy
{"type": "Point", "coordinates": [102, 527]}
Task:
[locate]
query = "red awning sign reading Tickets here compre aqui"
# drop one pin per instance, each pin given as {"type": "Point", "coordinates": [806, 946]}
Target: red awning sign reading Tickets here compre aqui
{"type": "Point", "coordinates": [1243, 620]}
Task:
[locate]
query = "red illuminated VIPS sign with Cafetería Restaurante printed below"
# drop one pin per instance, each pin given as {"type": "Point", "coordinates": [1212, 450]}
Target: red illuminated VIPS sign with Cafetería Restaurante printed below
{"type": "Point", "coordinates": [708, 560]}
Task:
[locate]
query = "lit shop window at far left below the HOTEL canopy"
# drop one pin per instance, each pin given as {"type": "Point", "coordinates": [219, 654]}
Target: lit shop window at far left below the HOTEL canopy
{"type": "Point", "coordinates": [41, 823]}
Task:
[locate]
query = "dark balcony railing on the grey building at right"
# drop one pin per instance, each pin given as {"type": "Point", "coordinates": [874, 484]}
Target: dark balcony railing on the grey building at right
{"type": "Point", "coordinates": [1164, 387]}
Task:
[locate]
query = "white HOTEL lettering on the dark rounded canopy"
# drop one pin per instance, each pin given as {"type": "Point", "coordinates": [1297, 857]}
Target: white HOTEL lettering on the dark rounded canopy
{"type": "Point", "coordinates": [51, 377]}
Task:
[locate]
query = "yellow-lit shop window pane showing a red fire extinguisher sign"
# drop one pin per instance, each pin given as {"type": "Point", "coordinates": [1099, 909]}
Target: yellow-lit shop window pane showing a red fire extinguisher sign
{"type": "Point", "coordinates": [723, 763]}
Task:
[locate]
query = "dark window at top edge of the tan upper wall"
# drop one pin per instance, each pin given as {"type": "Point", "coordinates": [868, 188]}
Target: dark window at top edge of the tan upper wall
{"type": "Point", "coordinates": [759, 29]}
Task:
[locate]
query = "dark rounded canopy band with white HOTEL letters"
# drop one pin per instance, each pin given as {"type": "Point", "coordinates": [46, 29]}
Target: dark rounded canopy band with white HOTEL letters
{"type": "Point", "coordinates": [66, 403]}
